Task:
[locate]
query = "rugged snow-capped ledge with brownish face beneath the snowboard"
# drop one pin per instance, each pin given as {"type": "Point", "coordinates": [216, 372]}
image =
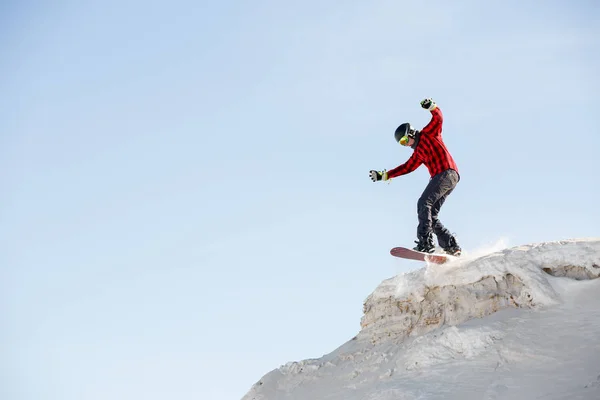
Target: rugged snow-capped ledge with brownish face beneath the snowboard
{"type": "Point", "coordinates": [420, 301]}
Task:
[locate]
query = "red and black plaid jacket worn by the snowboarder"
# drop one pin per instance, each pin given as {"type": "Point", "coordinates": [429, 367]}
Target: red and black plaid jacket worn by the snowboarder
{"type": "Point", "coordinates": [430, 150]}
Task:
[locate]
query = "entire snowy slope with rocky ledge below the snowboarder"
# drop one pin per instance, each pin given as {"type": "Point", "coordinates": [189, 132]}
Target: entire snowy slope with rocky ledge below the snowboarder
{"type": "Point", "coordinates": [522, 323]}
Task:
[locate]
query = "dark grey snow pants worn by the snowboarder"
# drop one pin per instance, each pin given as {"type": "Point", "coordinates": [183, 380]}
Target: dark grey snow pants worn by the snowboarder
{"type": "Point", "coordinates": [430, 202]}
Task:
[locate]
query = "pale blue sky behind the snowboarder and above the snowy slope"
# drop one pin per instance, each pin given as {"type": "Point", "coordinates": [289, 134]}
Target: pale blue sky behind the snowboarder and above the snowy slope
{"type": "Point", "coordinates": [186, 202]}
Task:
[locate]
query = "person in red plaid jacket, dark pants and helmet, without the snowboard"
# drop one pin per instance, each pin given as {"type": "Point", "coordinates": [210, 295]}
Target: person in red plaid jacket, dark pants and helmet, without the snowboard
{"type": "Point", "coordinates": [429, 149]}
